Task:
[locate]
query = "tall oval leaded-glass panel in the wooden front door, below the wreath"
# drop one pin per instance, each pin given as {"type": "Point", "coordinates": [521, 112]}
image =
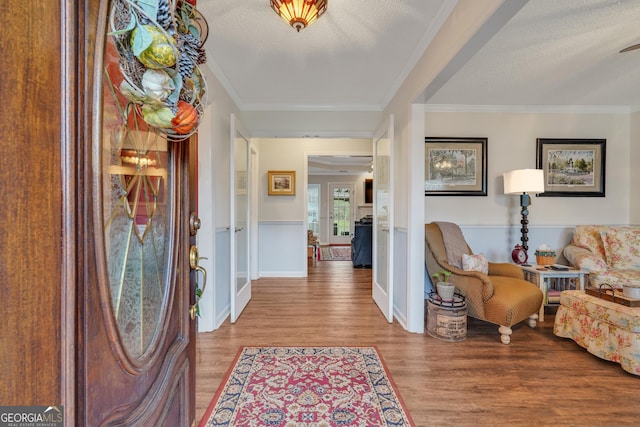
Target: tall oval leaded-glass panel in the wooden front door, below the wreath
{"type": "Point", "coordinates": [137, 183]}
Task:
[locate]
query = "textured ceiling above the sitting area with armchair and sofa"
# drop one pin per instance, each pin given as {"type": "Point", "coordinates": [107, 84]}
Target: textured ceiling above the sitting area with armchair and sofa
{"type": "Point", "coordinates": [556, 53]}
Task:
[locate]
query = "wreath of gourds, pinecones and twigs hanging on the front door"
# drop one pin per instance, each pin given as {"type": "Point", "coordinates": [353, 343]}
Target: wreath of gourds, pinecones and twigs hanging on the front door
{"type": "Point", "coordinates": [160, 44]}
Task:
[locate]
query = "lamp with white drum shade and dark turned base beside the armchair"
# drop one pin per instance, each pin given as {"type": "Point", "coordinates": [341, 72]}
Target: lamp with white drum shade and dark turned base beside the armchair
{"type": "Point", "coordinates": [523, 182]}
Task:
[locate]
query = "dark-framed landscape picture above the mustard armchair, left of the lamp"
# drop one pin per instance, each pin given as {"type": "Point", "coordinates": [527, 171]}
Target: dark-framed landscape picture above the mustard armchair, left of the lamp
{"type": "Point", "coordinates": [455, 167]}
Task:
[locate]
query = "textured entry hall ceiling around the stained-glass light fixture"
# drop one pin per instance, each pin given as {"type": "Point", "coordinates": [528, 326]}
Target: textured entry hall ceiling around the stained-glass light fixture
{"type": "Point", "coordinates": [354, 57]}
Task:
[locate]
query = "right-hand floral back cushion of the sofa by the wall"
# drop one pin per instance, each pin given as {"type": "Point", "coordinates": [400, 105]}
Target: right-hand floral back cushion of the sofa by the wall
{"type": "Point", "coordinates": [622, 247]}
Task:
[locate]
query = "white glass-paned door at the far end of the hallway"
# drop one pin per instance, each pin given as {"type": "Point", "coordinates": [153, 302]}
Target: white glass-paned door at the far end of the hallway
{"type": "Point", "coordinates": [340, 213]}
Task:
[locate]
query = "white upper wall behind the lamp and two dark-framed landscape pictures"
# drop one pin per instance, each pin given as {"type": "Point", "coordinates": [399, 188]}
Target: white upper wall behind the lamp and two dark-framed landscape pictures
{"type": "Point", "coordinates": [512, 145]}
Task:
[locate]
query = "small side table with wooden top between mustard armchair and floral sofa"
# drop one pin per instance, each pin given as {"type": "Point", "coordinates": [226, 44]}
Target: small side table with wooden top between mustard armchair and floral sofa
{"type": "Point", "coordinates": [556, 280]}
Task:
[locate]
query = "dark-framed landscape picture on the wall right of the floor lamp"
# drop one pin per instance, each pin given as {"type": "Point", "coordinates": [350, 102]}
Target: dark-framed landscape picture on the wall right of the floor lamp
{"type": "Point", "coordinates": [572, 167]}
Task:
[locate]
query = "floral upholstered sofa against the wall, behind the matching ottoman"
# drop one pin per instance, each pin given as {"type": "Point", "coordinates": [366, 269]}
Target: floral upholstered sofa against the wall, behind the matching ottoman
{"type": "Point", "coordinates": [610, 253]}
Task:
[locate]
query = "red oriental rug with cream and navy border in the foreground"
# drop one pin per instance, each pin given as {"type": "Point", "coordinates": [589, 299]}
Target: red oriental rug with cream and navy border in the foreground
{"type": "Point", "coordinates": [307, 387]}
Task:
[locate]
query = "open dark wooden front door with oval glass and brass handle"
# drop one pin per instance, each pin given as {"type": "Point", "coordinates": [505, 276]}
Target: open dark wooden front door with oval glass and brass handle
{"type": "Point", "coordinates": [136, 336]}
